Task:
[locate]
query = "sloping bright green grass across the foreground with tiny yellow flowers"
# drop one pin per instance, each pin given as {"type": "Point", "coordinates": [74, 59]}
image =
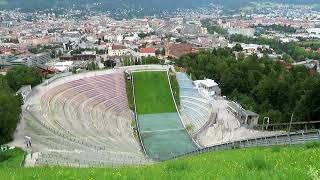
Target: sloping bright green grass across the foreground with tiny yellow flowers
{"type": "Point", "coordinates": [294, 162]}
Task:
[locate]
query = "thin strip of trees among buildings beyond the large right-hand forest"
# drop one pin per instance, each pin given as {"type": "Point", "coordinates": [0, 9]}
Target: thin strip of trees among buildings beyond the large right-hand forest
{"type": "Point", "coordinates": [291, 50]}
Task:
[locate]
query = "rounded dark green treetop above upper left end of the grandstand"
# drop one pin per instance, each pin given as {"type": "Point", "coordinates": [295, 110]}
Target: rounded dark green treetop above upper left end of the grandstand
{"type": "Point", "coordinates": [23, 75]}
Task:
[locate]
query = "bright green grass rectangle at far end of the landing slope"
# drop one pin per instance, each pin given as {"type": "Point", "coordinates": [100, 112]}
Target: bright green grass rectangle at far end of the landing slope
{"type": "Point", "coordinates": [152, 93]}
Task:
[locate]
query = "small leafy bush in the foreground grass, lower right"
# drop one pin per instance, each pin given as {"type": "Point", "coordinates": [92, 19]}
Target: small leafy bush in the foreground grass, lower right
{"type": "Point", "coordinates": [258, 162]}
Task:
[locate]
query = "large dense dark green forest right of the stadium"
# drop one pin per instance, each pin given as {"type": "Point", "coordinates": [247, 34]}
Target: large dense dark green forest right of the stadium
{"type": "Point", "coordinates": [260, 85]}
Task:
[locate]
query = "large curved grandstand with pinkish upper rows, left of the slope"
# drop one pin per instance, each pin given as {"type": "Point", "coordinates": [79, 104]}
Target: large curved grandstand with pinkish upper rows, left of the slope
{"type": "Point", "coordinates": [83, 121]}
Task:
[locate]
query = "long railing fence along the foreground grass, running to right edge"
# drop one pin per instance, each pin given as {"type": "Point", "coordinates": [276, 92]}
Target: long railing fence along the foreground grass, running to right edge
{"type": "Point", "coordinates": [286, 139]}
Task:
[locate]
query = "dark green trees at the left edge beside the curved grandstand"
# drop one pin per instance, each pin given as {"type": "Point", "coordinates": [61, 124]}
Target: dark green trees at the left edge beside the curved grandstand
{"type": "Point", "coordinates": [9, 102]}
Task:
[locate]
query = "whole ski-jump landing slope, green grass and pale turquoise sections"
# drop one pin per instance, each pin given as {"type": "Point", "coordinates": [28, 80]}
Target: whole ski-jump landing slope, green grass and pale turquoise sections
{"type": "Point", "coordinates": [162, 132]}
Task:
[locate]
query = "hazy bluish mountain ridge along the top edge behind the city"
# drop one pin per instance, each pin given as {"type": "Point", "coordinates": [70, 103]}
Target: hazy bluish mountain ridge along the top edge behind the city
{"type": "Point", "coordinates": [134, 4]}
